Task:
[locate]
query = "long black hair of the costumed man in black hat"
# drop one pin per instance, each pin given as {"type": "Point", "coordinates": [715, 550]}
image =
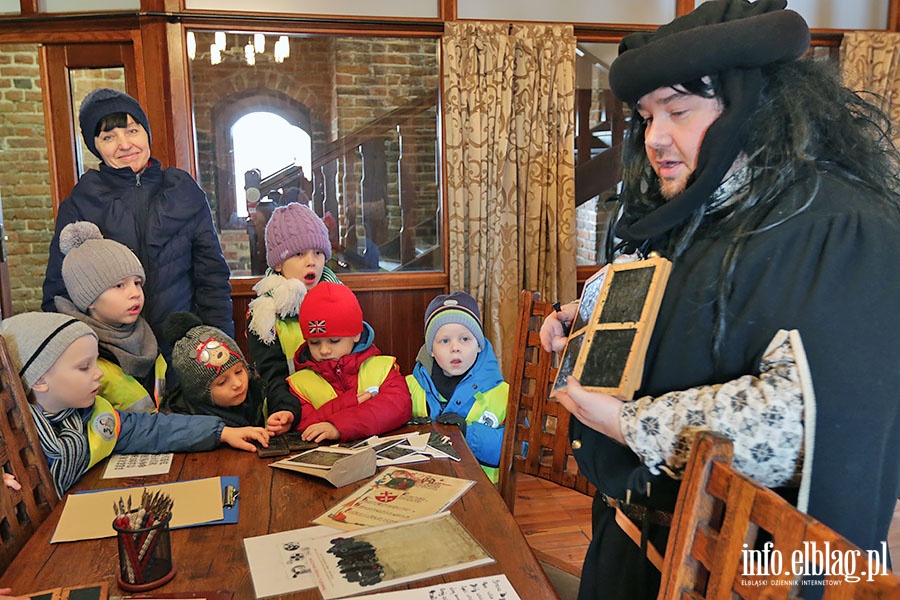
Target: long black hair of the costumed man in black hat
{"type": "Point", "coordinates": [806, 123]}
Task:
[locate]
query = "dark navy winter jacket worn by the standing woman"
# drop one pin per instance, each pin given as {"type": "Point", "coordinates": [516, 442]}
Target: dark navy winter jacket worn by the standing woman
{"type": "Point", "coordinates": [164, 217]}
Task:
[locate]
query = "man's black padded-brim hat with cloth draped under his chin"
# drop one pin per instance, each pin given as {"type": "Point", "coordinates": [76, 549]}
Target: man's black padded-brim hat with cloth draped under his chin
{"type": "Point", "coordinates": [733, 39]}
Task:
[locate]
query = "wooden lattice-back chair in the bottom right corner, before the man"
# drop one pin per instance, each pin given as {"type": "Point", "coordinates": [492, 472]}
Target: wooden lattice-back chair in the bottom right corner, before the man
{"type": "Point", "coordinates": [719, 510]}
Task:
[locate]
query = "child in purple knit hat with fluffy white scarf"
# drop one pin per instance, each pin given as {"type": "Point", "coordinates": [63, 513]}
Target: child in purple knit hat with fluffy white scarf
{"type": "Point", "coordinates": [297, 246]}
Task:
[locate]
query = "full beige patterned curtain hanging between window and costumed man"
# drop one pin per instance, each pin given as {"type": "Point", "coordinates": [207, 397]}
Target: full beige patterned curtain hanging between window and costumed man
{"type": "Point", "coordinates": [509, 106]}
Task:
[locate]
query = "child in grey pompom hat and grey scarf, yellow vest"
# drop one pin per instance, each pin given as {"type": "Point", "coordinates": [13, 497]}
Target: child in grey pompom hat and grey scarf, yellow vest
{"type": "Point", "coordinates": [105, 281]}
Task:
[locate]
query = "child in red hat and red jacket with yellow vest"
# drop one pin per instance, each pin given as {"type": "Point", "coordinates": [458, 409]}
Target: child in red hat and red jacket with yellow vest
{"type": "Point", "coordinates": [348, 390]}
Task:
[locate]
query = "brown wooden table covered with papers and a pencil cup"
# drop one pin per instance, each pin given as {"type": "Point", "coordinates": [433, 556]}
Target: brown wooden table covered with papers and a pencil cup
{"type": "Point", "coordinates": [271, 500]}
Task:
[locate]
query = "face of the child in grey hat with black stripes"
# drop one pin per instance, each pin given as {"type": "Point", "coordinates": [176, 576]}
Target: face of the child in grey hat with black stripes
{"type": "Point", "coordinates": [73, 380]}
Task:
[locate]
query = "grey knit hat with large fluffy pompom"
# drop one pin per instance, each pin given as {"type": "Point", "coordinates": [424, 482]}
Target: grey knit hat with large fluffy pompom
{"type": "Point", "coordinates": [93, 264]}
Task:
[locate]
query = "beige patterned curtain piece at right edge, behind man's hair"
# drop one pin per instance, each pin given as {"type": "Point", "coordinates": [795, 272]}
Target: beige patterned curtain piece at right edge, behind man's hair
{"type": "Point", "coordinates": [870, 62]}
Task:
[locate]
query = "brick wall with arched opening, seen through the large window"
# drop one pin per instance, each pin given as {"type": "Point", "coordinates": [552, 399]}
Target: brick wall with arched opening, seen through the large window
{"type": "Point", "coordinates": [344, 83]}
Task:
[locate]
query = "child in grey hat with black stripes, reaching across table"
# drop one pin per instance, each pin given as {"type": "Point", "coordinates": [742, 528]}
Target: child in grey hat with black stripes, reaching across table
{"type": "Point", "coordinates": [56, 359]}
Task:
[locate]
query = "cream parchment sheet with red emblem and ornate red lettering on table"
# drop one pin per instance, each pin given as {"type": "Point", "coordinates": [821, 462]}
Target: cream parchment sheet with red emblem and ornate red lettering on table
{"type": "Point", "coordinates": [395, 495]}
